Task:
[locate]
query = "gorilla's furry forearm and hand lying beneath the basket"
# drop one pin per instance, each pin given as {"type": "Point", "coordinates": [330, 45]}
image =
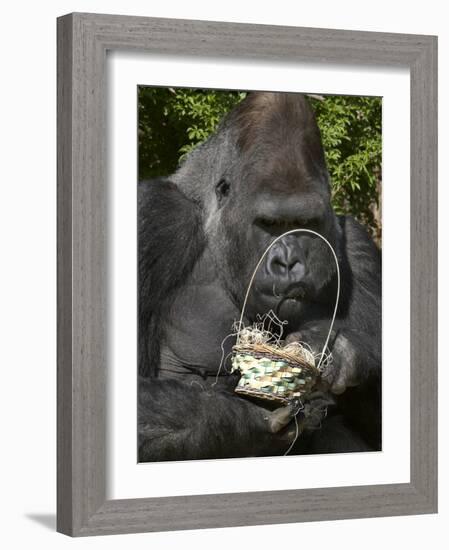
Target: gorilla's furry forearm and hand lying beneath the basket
{"type": "Point", "coordinates": [181, 421]}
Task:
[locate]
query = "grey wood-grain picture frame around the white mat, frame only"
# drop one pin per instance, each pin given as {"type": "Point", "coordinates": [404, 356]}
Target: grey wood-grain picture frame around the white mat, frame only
{"type": "Point", "coordinates": [83, 40]}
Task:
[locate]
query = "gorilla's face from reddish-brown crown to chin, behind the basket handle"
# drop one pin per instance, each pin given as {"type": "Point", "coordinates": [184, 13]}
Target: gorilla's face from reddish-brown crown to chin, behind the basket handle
{"type": "Point", "coordinates": [277, 185]}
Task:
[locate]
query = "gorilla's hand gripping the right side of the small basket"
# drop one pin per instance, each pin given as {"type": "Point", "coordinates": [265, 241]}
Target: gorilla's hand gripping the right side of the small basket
{"type": "Point", "coordinates": [343, 371]}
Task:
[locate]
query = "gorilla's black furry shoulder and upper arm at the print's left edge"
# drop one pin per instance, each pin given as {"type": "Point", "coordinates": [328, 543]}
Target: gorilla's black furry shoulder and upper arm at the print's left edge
{"type": "Point", "coordinates": [170, 241]}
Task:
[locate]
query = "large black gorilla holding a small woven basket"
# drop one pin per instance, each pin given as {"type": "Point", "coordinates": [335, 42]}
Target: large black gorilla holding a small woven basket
{"type": "Point", "coordinates": [201, 233]}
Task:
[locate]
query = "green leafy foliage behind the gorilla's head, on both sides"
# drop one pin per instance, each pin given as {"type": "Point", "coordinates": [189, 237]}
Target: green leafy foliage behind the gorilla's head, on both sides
{"type": "Point", "coordinates": [173, 121]}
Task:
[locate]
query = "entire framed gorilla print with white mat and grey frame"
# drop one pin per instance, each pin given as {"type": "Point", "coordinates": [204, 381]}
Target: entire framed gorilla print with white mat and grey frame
{"type": "Point", "coordinates": [246, 274]}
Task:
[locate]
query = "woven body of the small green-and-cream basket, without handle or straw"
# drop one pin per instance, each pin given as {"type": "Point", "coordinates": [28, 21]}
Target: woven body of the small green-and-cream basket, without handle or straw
{"type": "Point", "coordinates": [268, 374]}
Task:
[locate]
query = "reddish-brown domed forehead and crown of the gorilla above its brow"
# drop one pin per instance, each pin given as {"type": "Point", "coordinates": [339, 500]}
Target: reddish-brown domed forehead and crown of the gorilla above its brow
{"type": "Point", "coordinates": [278, 143]}
